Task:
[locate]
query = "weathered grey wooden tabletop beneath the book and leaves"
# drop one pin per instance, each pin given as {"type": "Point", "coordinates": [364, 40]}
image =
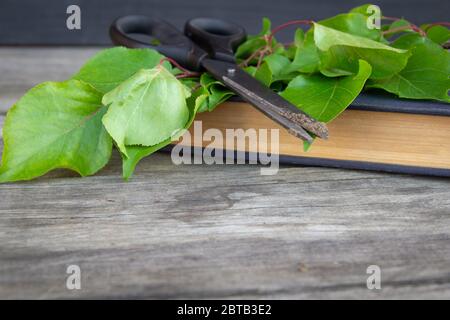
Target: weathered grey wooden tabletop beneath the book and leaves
{"type": "Point", "coordinates": [216, 231]}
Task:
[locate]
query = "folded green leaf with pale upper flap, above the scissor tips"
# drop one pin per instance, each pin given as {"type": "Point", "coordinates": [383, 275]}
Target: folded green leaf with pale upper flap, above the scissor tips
{"type": "Point", "coordinates": [341, 51]}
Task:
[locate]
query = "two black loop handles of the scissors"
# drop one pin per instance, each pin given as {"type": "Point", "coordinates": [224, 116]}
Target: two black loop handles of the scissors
{"type": "Point", "coordinates": [210, 37]}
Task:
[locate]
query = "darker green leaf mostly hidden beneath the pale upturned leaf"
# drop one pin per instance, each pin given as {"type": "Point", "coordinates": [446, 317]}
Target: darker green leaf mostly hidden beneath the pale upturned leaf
{"type": "Point", "coordinates": [137, 153]}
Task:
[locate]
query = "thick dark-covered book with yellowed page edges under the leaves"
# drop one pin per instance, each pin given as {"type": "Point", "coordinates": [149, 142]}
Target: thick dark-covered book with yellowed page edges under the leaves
{"type": "Point", "coordinates": [377, 132]}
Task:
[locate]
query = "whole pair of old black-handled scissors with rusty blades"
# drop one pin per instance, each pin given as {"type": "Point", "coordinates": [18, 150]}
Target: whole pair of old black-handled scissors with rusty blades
{"type": "Point", "coordinates": [208, 44]}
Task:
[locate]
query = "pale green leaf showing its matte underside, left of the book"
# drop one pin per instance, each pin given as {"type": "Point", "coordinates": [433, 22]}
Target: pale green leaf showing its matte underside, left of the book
{"type": "Point", "coordinates": [146, 109]}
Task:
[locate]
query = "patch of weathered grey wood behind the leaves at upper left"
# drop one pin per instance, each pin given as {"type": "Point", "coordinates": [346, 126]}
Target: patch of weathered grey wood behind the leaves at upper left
{"type": "Point", "coordinates": [23, 68]}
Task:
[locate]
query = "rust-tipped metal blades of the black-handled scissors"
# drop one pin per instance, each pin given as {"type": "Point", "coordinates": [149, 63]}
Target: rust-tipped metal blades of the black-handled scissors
{"type": "Point", "coordinates": [265, 100]}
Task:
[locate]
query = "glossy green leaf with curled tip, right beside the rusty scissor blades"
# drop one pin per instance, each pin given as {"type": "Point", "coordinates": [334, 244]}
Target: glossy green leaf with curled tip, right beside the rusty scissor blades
{"type": "Point", "coordinates": [325, 98]}
